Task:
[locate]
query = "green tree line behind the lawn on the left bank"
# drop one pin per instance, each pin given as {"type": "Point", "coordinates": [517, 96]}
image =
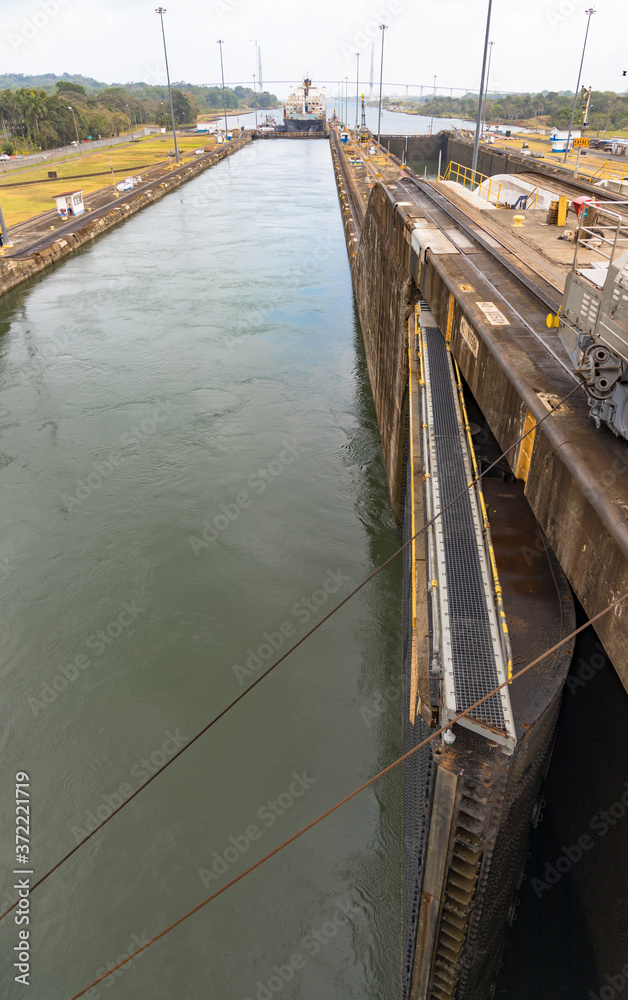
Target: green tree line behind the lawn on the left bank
{"type": "Point", "coordinates": [34, 118]}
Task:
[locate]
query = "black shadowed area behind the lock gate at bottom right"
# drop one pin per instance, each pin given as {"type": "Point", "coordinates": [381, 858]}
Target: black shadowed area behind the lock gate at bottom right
{"type": "Point", "coordinates": [571, 934]}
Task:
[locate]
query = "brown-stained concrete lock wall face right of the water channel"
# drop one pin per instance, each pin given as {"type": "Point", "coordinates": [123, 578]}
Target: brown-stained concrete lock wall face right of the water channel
{"type": "Point", "coordinates": [576, 516]}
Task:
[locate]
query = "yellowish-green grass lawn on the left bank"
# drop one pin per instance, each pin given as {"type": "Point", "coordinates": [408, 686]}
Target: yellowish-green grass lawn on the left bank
{"type": "Point", "coordinates": [22, 203]}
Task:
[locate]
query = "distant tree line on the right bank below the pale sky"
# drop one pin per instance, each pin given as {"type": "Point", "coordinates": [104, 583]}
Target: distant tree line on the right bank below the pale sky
{"type": "Point", "coordinates": [608, 110]}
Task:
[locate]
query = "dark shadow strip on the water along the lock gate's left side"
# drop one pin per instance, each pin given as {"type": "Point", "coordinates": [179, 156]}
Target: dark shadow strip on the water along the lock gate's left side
{"type": "Point", "coordinates": [381, 674]}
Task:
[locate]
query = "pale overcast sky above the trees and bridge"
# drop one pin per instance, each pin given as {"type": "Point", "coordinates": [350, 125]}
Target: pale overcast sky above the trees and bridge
{"type": "Point", "coordinates": [538, 43]}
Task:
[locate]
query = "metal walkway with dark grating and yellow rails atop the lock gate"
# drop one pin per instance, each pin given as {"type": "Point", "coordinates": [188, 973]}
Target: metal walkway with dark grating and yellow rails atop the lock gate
{"type": "Point", "coordinates": [470, 648]}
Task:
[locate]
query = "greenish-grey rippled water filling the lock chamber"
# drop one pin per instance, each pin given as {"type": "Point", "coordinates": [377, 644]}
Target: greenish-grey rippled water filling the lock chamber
{"type": "Point", "coordinates": [189, 458]}
